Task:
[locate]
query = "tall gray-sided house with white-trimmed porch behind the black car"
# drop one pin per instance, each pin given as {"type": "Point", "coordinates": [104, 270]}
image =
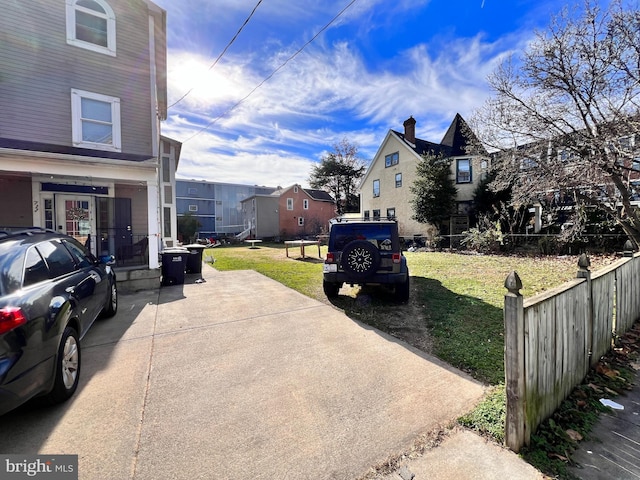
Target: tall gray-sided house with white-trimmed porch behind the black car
{"type": "Point", "coordinates": [83, 93]}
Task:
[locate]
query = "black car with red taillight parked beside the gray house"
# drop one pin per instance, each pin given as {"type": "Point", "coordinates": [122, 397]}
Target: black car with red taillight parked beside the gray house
{"type": "Point", "coordinates": [51, 292]}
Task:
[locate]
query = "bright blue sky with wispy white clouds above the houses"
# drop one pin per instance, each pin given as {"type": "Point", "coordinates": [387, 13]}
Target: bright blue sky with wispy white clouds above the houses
{"type": "Point", "coordinates": [378, 63]}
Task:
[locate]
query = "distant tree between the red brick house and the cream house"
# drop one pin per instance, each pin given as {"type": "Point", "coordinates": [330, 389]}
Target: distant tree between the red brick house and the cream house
{"type": "Point", "coordinates": [339, 172]}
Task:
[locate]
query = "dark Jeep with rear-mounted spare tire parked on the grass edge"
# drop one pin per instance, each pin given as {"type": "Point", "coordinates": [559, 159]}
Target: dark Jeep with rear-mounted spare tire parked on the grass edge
{"type": "Point", "coordinates": [365, 253]}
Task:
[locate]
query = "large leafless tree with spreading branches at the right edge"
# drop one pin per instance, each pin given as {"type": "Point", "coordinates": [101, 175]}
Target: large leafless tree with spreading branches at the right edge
{"type": "Point", "coordinates": [565, 115]}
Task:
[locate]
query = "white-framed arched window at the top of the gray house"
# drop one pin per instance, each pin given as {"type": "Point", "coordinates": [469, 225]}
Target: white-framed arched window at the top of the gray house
{"type": "Point", "coordinates": [91, 24]}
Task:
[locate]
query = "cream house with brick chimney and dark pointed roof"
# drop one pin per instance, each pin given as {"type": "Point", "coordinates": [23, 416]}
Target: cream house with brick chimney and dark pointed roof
{"type": "Point", "coordinates": [385, 190]}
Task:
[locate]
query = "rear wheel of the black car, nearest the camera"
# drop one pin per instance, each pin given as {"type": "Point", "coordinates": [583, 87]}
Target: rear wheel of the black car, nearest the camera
{"type": "Point", "coordinates": [67, 367]}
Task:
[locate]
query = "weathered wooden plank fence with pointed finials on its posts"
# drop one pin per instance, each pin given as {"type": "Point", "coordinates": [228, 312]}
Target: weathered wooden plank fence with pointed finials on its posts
{"type": "Point", "coordinates": [553, 339]}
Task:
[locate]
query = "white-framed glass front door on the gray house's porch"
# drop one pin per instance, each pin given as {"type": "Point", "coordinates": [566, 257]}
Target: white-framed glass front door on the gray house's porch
{"type": "Point", "coordinates": [74, 217]}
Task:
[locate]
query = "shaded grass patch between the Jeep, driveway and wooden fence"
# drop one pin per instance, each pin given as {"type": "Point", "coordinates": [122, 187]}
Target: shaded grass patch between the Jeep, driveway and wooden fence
{"type": "Point", "coordinates": [464, 330]}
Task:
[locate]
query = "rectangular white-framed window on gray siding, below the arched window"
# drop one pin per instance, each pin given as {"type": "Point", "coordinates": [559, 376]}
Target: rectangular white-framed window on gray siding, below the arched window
{"type": "Point", "coordinates": [95, 121]}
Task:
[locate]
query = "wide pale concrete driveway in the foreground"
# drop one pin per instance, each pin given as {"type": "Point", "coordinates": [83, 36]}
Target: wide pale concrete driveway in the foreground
{"type": "Point", "coordinates": [240, 377]}
